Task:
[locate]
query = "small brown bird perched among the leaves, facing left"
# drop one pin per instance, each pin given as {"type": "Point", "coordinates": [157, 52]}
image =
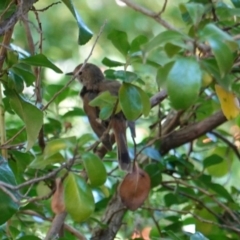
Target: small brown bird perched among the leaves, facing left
{"type": "Point", "coordinates": [94, 83]}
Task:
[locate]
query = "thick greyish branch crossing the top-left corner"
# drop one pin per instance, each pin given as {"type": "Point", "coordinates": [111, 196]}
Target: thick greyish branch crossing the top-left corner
{"type": "Point", "coordinates": [10, 22]}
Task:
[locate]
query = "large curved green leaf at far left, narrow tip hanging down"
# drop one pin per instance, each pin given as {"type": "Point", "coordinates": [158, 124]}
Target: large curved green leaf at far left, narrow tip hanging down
{"type": "Point", "coordinates": [30, 115]}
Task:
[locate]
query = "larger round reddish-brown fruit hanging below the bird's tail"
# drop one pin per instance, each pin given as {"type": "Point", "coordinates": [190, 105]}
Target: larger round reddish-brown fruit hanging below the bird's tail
{"type": "Point", "coordinates": [134, 188]}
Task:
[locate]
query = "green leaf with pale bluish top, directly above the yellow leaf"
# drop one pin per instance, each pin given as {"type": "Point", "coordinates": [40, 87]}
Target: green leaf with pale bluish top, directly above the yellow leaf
{"type": "Point", "coordinates": [223, 56]}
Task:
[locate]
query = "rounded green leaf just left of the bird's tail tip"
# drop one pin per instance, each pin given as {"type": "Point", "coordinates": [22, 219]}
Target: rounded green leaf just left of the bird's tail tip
{"type": "Point", "coordinates": [96, 171]}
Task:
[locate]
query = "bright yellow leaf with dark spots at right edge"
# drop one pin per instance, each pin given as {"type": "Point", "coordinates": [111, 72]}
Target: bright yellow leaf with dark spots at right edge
{"type": "Point", "coordinates": [229, 102]}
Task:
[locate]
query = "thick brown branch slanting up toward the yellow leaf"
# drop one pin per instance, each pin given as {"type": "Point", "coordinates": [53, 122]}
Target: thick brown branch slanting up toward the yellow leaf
{"type": "Point", "coordinates": [191, 132]}
